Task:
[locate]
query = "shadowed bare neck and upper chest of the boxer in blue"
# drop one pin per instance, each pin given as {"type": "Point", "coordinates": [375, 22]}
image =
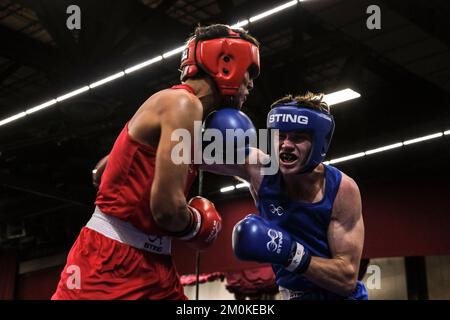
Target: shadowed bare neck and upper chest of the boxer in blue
{"type": "Point", "coordinates": [307, 187]}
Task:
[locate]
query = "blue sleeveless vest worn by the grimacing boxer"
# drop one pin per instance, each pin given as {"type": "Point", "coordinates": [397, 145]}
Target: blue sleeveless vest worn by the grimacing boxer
{"type": "Point", "coordinates": [308, 224]}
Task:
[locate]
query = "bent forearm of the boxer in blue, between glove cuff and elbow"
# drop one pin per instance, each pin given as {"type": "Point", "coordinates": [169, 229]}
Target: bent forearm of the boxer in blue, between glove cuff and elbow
{"type": "Point", "coordinates": [335, 275]}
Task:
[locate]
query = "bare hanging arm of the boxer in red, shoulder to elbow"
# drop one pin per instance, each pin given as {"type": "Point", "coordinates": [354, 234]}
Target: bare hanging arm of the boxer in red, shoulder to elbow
{"type": "Point", "coordinates": [167, 199]}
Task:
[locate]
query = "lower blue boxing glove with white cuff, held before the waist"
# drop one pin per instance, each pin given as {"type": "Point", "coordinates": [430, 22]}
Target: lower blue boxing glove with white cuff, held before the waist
{"type": "Point", "coordinates": [256, 239]}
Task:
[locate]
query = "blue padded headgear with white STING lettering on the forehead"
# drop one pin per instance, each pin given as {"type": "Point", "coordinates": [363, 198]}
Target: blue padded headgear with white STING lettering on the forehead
{"type": "Point", "coordinates": [292, 116]}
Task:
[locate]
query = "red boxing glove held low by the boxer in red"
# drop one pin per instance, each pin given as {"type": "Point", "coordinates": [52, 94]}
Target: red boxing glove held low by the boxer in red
{"type": "Point", "coordinates": [206, 224]}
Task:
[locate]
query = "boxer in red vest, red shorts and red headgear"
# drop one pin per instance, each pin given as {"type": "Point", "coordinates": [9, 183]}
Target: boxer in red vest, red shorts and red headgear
{"type": "Point", "coordinates": [124, 250]}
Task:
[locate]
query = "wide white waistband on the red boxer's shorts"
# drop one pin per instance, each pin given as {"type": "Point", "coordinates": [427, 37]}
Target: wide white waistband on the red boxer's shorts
{"type": "Point", "coordinates": [124, 232]}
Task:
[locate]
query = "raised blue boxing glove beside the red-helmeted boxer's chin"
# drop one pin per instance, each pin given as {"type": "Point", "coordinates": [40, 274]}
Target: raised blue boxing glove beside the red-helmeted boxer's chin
{"type": "Point", "coordinates": [236, 131]}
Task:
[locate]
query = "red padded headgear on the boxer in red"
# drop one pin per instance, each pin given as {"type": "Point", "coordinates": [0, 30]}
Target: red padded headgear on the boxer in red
{"type": "Point", "coordinates": [225, 59]}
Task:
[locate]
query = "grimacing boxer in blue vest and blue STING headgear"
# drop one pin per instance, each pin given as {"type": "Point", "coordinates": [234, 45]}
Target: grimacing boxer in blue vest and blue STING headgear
{"type": "Point", "coordinates": [310, 226]}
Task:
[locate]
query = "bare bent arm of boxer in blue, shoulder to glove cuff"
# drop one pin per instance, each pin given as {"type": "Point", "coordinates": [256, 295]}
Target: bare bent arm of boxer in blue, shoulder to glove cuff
{"type": "Point", "coordinates": [346, 239]}
